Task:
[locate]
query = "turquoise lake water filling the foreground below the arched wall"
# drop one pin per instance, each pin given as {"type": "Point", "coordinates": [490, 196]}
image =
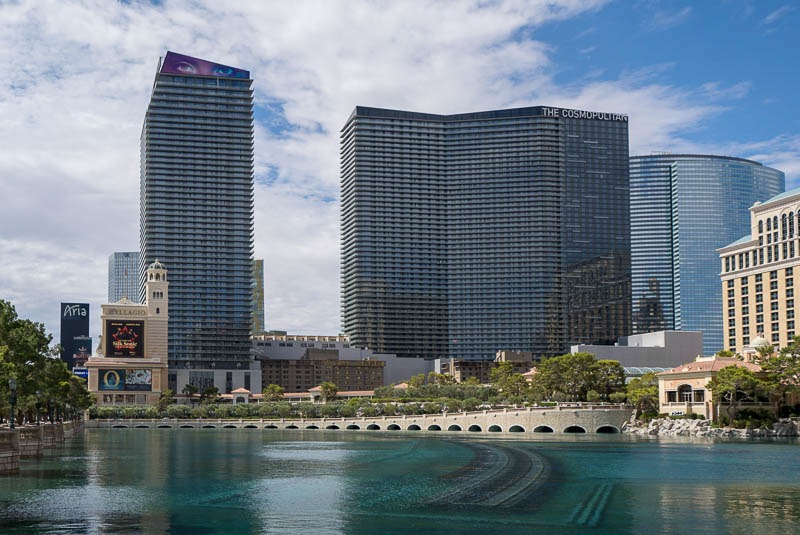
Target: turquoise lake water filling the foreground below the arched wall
{"type": "Point", "coordinates": [317, 482]}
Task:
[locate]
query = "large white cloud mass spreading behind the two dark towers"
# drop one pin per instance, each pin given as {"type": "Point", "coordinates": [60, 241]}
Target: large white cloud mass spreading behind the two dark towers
{"type": "Point", "coordinates": [77, 78]}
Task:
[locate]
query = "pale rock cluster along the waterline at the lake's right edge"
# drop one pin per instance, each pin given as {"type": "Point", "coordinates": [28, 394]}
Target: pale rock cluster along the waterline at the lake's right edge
{"type": "Point", "coordinates": [702, 428]}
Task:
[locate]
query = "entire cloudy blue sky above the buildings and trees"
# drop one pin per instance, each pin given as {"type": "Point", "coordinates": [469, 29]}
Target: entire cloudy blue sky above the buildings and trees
{"type": "Point", "coordinates": [712, 77]}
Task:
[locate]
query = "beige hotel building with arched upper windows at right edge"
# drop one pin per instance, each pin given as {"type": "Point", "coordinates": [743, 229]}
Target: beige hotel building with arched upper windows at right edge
{"type": "Point", "coordinates": [758, 274]}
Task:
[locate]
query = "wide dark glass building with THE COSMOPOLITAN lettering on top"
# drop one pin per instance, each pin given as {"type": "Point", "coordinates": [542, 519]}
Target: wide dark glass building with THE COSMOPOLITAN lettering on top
{"type": "Point", "coordinates": [467, 234]}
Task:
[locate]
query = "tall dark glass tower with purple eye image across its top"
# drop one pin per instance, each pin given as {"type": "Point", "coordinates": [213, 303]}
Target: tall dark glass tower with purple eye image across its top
{"type": "Point", "coordinates": [197, 215]}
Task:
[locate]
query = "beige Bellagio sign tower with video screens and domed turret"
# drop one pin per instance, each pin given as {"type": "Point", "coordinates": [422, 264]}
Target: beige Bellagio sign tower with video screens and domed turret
{"type": "Point", "coordinates": [130, 366]}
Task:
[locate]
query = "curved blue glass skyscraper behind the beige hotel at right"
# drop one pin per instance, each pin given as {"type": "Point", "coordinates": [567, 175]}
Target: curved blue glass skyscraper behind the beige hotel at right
{"type": "Point", "coordinates": [683, 208]}
